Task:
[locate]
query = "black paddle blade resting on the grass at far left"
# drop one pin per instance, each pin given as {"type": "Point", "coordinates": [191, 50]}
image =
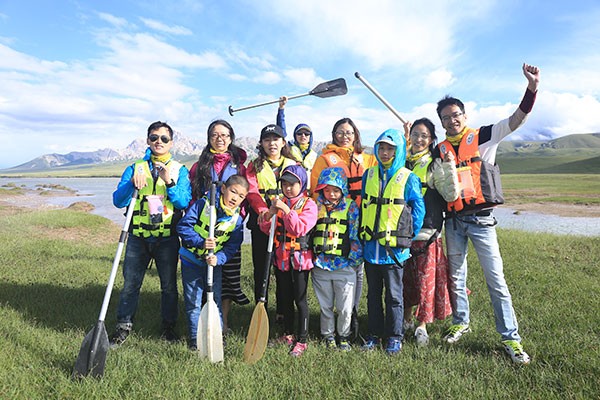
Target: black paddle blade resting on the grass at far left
{"type": "Point", "coordinates": [92, 354]}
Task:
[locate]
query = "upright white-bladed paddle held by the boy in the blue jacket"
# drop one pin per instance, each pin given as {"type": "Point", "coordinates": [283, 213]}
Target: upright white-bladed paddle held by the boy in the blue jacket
{"type": "Point", "coordinates": [210, 334]}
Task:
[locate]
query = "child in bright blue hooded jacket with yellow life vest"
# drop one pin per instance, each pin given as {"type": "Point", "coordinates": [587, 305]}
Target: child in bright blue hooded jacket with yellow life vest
{"type": "Point", "coordinates": [392, 211]}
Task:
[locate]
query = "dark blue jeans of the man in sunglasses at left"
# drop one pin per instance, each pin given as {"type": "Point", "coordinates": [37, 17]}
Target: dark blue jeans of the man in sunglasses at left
{"type": "Point", "coordinates": [138, 254]}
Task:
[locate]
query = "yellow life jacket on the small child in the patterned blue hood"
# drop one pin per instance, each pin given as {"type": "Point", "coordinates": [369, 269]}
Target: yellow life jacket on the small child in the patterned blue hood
{"type": "Point", "coordinates": [331, 234]}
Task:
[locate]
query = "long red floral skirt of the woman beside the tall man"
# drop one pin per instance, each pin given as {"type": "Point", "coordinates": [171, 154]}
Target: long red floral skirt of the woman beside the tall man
{"type": "Point", "coordinates": [426, 282]}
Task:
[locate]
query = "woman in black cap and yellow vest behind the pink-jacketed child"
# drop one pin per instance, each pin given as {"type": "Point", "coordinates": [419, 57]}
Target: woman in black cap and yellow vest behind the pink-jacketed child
{"type": "Point", "coordinates": [263, 174]}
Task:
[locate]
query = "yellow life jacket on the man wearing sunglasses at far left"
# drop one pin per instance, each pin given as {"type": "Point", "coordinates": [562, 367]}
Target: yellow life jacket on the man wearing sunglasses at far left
{"type": "Point", "coordinates": [141, 224]}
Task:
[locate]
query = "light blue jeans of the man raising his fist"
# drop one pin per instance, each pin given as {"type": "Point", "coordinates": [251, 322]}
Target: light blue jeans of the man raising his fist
{"type": "Point", "coordinates": [482, 232]}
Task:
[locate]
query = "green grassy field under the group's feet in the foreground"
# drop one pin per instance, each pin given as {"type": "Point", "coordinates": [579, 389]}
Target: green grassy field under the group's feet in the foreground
{"type": "Point", "coordinates": [54, 269]}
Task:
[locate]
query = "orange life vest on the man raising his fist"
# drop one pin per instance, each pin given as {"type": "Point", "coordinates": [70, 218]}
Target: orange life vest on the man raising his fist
{"type": "Point", "coordinates": [479, 181]}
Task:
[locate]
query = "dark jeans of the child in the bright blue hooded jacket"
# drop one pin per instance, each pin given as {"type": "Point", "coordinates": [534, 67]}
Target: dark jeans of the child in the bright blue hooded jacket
{"type": "Point", "coordinates": [390, 277]}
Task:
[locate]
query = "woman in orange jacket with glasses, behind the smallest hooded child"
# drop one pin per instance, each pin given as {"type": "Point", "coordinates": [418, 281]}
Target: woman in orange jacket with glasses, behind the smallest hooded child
{"type": "Point", "coordinates": [346, 151]}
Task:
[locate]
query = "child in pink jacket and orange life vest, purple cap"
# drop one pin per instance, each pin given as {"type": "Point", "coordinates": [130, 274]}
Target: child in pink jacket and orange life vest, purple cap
{"type": "Point", "coordinates": [296, 216]}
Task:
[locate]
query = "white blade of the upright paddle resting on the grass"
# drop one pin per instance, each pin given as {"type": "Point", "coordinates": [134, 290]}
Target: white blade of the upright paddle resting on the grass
{"type": "Point", "coordinates": [210, 335]}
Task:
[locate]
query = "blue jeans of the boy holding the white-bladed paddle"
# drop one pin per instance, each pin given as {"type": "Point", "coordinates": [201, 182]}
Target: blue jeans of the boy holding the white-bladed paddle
{"type": "Point", "coordinates": [193, 278]}
